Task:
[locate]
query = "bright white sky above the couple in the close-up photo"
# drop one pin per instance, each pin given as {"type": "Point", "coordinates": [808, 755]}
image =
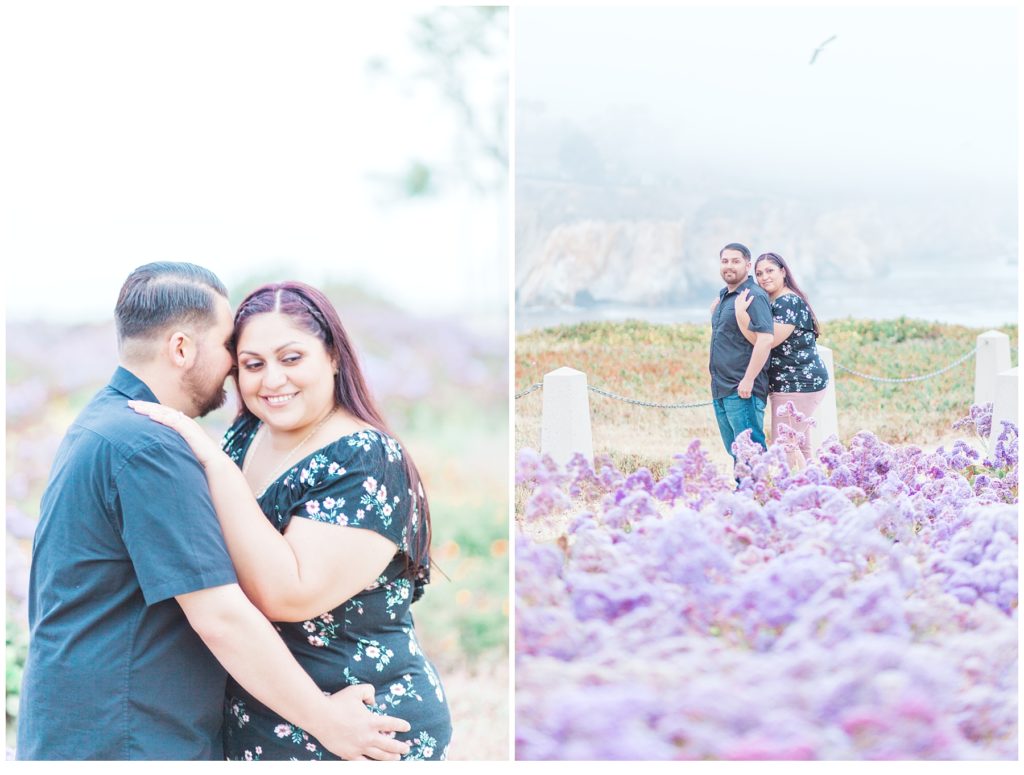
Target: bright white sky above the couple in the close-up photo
{"type": "Point", "coordinates": [236, 136]}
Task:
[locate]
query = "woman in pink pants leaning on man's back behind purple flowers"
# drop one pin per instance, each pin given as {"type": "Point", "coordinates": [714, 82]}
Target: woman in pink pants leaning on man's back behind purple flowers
{"type": "Point", "coordinates": [796, 372]}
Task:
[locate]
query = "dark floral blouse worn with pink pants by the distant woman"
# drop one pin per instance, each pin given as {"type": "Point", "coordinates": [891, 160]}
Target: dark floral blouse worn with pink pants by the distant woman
{"type": "Point", "coordinates": [795, 366]}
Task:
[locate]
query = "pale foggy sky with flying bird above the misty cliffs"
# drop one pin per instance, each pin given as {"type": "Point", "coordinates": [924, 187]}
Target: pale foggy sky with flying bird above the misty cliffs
{"type": "Point", "coordinates": [919, 92]}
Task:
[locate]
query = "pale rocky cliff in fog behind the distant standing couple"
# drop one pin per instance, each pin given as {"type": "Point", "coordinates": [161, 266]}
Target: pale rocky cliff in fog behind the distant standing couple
{"type": "Point", "coordinates": [578, 245]}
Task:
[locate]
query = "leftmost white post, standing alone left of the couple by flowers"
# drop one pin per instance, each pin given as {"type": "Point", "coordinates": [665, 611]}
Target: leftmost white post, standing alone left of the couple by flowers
{"type": "Point", "coordinates": [566, 422]}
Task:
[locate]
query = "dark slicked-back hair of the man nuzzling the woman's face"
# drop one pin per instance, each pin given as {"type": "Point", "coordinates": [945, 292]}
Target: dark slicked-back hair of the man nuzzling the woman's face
{"type": "Point", "coordinates": [163, 293]}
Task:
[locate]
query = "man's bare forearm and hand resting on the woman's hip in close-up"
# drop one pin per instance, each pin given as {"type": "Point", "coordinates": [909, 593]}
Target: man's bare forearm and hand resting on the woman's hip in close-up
{"type": "Point", "coordinates": [249, 649]}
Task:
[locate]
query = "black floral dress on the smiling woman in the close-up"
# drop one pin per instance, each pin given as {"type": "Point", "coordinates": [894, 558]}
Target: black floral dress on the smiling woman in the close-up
{"type": "Point", "coordinates": [360, 482]}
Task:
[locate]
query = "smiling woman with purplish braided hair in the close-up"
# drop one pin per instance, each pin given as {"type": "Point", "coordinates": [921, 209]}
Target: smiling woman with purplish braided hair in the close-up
{"type": "Point", "coordinates": [326, 521]}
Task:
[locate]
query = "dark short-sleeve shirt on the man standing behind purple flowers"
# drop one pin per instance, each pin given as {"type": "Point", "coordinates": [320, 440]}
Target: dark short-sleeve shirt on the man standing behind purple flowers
{"type": "Point", "coordinates": [731, 353]}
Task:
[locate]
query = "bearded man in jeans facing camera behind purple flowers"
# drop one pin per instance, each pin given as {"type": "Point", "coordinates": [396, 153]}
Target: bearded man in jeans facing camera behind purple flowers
{"type": "Point", "coordinates": [739, 374]}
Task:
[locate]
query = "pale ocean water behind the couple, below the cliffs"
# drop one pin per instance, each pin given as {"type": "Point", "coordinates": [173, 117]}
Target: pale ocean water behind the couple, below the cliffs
{"type": "Point", "coordinates": [976, 293]}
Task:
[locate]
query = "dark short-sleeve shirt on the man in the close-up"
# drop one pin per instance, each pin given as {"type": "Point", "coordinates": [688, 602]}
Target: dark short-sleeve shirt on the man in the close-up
{"type": "Point", "coordinates": [126, 524]}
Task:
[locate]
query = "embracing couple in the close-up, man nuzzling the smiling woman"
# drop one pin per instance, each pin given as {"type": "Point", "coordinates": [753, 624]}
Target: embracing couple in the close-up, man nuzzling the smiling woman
{"type": "Point", "coordinates": [160, 562]}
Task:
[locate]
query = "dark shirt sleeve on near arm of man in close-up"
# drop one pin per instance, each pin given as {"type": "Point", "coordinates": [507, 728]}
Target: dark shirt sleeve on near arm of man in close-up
{"type": "Point", "coordinates": [170, 529]}
